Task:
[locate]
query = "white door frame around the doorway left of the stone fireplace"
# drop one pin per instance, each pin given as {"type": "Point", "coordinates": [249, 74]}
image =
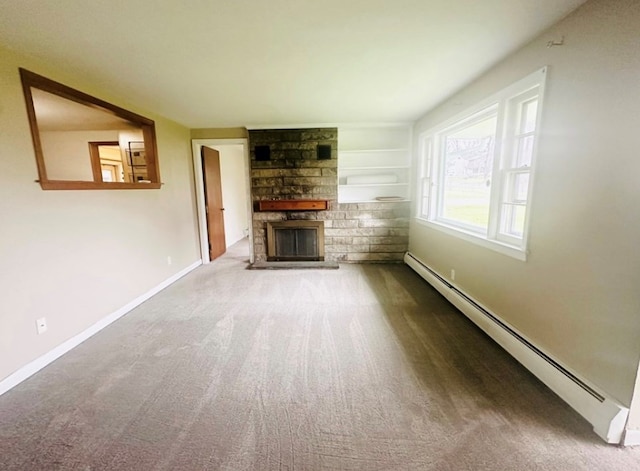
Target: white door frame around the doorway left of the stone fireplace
{"type": "Point", "coordinates": [196, 145]}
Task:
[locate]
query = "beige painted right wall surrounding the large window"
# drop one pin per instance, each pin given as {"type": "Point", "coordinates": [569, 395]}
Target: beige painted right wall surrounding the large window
{"type": "Point", "coordinates": [577, 296]}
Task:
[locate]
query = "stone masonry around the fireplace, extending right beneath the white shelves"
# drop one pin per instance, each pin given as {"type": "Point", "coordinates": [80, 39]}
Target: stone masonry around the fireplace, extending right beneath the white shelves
{"type": "Point", "coordinates": [354, 232]}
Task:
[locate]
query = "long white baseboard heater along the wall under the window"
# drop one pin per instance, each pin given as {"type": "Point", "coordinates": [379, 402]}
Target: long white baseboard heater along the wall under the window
{"type": "Point", "coordinates": [606, 415]}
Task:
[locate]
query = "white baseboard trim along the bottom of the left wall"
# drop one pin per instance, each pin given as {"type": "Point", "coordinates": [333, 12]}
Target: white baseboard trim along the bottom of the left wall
{"type": "Point", "coordinates": [36, 365]}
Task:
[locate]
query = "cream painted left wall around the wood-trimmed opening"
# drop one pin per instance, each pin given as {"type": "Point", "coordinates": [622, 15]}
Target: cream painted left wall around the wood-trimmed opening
{"type": "Point", "coordinates": [77, 256]}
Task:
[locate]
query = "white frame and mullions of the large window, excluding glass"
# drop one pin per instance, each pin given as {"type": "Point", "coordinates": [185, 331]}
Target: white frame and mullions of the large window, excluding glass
{"type": "Point", "coordinates": [507, 104]}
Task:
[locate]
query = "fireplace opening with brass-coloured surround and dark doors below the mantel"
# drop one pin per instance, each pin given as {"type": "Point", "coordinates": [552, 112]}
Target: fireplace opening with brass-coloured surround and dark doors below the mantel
{"type": "Point", "coordinates": [295, 241]}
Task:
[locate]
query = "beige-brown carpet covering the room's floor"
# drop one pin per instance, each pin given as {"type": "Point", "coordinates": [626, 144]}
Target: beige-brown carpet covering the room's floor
{"type": "Point", "coordinates": [361, 368]}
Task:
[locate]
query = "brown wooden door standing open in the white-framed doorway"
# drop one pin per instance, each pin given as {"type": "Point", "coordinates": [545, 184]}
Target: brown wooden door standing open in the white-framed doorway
{"type": "Point", "coordinates": [213, 202]}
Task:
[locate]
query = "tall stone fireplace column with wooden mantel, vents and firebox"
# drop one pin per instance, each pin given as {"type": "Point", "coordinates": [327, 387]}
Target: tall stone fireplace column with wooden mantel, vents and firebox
{"type": "Point", "coordinates": [292, 166]}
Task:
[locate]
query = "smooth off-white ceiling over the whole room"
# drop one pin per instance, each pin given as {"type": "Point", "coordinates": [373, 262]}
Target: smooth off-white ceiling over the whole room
{"type": "Point", "coordinates": [221, 63]}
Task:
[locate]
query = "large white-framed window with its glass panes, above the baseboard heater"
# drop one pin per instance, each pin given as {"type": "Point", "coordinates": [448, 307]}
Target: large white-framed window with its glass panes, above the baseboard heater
{"type": "Point", "coordinates": [476, 170]}
